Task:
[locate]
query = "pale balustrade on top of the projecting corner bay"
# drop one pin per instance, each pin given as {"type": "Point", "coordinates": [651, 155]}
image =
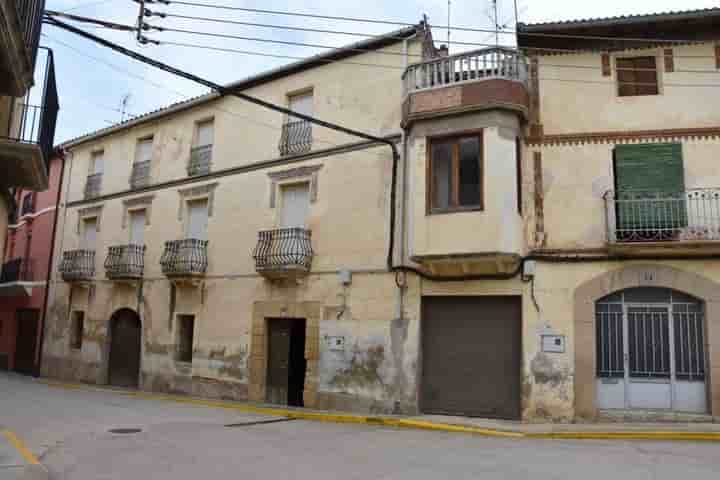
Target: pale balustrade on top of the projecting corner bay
{"type": "Point", "coordinates": [483, 64]}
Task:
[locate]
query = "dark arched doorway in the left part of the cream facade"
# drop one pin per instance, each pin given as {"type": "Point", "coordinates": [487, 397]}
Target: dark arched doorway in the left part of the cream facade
{"type": "Point", "coordinates": [125, 341]}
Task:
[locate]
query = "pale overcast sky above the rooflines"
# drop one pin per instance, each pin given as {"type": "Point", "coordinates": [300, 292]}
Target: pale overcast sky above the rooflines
{"type": "Point", "coordinates": [91, 91]}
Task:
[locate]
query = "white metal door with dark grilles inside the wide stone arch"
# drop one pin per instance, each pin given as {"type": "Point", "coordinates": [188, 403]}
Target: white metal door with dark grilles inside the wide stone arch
{"type": "Point", "coordinates": [650, 350]}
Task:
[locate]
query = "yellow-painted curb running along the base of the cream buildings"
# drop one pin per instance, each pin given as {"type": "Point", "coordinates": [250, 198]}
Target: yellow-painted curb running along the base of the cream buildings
{"type": "Point", "coordinates": [406, 423]}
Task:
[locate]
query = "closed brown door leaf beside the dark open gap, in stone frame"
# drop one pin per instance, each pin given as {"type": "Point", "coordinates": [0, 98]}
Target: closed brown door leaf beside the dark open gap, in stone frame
{"type": "Point", "coordinates": [278, 376]}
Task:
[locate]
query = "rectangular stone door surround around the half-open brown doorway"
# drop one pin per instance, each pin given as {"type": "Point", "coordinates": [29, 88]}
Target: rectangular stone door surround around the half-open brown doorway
{"type": "Point", "coordinates": [264, 311]}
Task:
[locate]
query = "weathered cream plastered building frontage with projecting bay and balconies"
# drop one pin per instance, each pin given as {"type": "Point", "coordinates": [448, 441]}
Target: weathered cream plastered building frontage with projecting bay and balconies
{"type": "Point", "coordinates": [482, 271]}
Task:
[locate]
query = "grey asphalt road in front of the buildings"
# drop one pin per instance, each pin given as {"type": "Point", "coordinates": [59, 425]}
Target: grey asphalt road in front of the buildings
{"type": "Point", "coordinates": [69, 431]}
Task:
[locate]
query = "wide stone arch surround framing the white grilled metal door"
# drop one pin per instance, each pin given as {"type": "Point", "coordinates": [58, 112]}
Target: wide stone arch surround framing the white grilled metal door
{"type": "Point", "coordinates": [640, 275]}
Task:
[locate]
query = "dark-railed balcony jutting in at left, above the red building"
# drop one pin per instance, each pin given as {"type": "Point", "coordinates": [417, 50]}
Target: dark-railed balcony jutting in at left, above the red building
{"type": "Point", "coordinates": [26, 148]}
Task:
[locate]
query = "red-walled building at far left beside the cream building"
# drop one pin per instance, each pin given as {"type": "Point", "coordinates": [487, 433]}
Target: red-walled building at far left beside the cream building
{"type": "Point", "coordinates": [24, 274]}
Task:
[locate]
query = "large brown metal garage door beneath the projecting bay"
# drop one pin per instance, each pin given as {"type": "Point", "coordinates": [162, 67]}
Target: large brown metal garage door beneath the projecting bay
{"type": "Point", "coordinates": [471, 356]}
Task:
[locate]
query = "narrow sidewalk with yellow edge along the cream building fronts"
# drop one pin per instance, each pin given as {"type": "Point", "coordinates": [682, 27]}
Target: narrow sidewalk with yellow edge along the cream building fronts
{"type": "Point", "coordinates": [694, 431]}
